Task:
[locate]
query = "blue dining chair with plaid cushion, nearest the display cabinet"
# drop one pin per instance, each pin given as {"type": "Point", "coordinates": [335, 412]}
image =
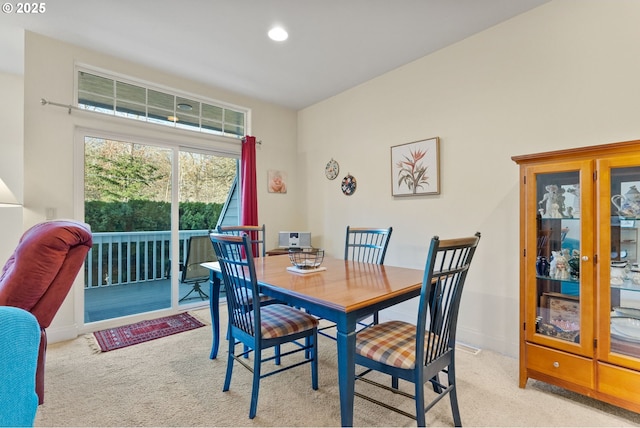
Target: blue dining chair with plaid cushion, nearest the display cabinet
{"type": "Point", "coordinates": [419, 353]}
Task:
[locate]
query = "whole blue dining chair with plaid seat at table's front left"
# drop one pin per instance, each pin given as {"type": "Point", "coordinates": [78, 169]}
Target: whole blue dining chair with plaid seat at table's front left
{"type": "Point", "coordinates": [262, 327]}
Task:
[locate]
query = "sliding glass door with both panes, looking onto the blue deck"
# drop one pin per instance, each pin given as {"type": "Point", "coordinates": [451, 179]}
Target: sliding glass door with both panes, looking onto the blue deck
{"type": "Point", "coordinates": [128, 190]}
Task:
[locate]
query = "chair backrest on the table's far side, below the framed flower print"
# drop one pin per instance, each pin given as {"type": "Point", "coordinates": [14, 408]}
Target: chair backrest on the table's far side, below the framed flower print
{"type": "Point", "coordinates": [367, 245]}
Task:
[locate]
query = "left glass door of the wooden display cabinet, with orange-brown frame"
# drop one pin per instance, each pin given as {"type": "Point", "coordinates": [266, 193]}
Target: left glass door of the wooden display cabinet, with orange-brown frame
{"type": "Point", "coordinates": [563, 292]}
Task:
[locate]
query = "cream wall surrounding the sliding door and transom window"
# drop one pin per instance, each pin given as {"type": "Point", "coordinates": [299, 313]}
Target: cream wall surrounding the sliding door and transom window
{"type": "Point", "coordinates": [49, 173]}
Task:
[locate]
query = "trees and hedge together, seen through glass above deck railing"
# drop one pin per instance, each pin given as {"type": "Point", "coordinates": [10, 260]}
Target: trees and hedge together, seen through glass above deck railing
{"type": "Point", "coordinates": [128, 187]}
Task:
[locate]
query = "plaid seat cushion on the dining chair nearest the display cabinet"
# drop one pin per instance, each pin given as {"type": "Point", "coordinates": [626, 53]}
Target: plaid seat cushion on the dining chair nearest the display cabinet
{"type": "Point", "coordinates": [392, 343]}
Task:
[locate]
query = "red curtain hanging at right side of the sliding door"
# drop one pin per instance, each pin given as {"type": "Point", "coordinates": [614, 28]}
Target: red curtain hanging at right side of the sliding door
{"type": "Point", "coordinates": [248, 190]}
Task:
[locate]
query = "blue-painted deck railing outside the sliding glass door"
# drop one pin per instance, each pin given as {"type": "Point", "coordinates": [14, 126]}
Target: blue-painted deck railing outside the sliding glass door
{"type": "Point", "coordinates": [119, 258]}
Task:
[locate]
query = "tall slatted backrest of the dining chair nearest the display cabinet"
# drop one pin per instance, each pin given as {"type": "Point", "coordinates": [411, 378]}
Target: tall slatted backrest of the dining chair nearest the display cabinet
{"type": "Point", "coordinates": [446, 270]}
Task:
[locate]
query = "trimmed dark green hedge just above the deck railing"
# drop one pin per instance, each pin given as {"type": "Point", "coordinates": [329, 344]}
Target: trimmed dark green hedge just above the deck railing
{"type": "Point", "coordinates": [142, 215]}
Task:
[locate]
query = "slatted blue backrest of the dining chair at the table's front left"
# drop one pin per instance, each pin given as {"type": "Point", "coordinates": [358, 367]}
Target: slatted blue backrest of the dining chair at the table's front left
{"type": "Point", "coordinates": [238, 273]}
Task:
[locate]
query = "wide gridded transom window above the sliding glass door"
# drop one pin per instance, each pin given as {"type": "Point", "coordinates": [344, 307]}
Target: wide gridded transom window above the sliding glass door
{"type": "Point", "coordinates": [134, 100]}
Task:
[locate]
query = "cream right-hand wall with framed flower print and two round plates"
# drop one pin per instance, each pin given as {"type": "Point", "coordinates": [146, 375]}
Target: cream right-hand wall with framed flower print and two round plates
{"type": "Point", "coordinates": [563, 75]}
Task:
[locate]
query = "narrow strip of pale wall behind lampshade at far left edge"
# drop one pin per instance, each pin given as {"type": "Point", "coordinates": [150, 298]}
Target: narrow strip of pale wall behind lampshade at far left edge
{"type": "Point", "coordinates": [11, 159]}
